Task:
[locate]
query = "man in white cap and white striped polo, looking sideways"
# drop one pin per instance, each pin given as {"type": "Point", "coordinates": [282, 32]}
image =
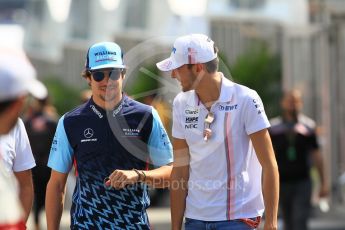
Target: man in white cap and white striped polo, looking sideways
{"type": "Point", "coordinates": [221, 145]}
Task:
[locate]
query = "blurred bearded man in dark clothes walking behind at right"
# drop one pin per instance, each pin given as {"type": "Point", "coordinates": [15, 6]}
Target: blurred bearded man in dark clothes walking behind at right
{"type": "Point", "coordinates": [295, 143]}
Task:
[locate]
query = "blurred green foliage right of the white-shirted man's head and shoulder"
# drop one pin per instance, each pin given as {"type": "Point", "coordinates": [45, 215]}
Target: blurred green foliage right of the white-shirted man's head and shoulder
{"type": "Point", "coordinates": [260, 70]}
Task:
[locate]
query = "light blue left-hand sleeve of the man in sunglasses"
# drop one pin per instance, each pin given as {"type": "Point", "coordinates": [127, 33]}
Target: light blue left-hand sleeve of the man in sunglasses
{"type": "Point", "coordinates": [61, 152]}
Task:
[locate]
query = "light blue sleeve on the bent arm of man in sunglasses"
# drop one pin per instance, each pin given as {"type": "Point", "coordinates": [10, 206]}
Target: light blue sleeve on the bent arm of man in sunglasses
{"type": "Point", "coordinates": [159, 145]}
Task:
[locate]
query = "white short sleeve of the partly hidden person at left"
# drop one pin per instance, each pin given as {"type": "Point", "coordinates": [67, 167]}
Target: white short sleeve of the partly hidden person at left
{"type": "Point", "coordinates": [24, 159]}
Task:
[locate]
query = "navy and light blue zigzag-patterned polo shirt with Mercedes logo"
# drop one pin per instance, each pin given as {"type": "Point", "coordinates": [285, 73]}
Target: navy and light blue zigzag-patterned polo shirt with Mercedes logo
{"type": "Point", "coordinates": [97, 142]}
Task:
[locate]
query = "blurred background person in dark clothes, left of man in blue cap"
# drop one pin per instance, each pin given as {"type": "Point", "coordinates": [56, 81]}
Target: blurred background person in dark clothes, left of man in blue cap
{"type": "Point", "coordinates": [40, 125]}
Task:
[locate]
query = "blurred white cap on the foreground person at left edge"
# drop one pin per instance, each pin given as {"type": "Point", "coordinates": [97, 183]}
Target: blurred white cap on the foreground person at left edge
{"type": "Point", "coordinates": [18, 76]}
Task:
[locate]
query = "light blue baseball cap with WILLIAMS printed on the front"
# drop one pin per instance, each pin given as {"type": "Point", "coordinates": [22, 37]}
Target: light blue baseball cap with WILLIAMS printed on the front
{"type": "Point", "coordinates": [104, 55]}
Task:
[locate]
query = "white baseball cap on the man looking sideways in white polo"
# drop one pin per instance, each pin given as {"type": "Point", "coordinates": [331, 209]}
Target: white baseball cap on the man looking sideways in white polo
{"type": "Point", "coordinates": [189, 49]}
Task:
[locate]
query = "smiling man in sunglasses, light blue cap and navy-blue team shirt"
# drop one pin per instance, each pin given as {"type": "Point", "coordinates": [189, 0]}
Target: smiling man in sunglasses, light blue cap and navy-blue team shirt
{"type": "Point", "coordinates": [110, 140]}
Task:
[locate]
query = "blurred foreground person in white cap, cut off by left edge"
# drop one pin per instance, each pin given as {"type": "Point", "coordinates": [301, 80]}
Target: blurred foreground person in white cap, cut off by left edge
{"type": "Point", "coordinates": [17, 79]}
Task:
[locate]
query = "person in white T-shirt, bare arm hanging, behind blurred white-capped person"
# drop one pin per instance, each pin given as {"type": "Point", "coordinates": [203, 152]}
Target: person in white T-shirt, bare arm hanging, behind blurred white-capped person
{"type": "Point", "coordinates": [16, 153]}
